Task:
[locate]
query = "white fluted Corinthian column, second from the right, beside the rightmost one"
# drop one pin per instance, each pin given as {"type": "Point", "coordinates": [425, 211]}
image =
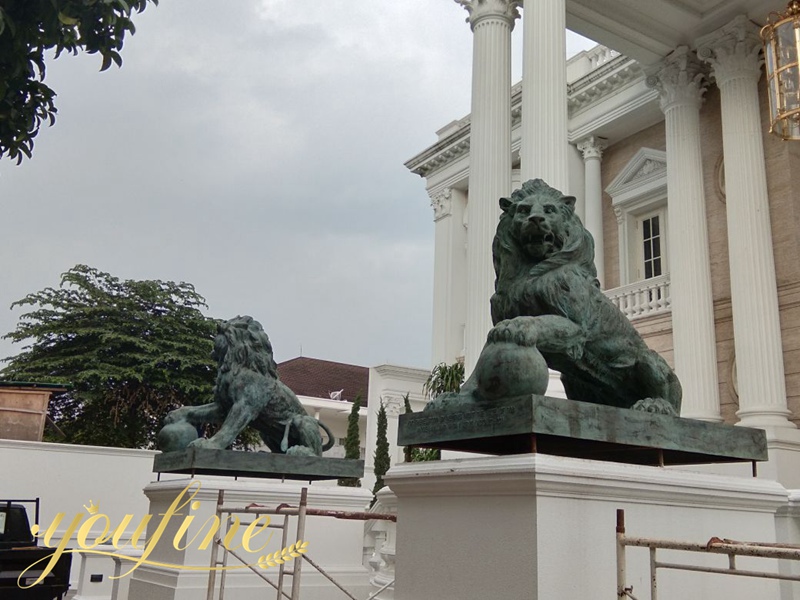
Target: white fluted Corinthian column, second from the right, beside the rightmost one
{"type": "Point", "coordinates": [681, 85]}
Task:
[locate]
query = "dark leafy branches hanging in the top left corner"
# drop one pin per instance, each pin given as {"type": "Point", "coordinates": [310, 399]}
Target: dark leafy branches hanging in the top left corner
{"type": "Point", "coordinates": [28, 29]}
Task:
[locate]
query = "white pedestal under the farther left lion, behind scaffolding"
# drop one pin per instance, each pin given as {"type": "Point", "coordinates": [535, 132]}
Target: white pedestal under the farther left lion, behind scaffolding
{"type": "Point", "coordinates": [336, 545]}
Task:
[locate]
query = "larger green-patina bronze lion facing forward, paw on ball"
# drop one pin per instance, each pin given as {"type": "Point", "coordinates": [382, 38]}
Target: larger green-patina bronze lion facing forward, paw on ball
{"type": "Point", "coordinates": [548, 310]}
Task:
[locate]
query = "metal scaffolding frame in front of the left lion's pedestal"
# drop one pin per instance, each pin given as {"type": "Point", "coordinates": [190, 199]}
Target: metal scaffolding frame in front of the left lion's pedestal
{"type": "Point", "coordinates": [286, 511]}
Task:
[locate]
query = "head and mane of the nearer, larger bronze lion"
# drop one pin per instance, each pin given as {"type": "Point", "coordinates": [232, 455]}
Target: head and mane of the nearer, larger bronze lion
{"type": "Point", "coordinates": [538, 233]}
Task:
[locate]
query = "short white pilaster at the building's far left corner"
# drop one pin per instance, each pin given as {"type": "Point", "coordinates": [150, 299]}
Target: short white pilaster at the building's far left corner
{"type": "Point", "coordinates": [449, 275]}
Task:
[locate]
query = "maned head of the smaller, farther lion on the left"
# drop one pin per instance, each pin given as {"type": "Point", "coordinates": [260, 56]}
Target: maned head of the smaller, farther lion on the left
{"type": "Point", "coordinates": [241, 343]}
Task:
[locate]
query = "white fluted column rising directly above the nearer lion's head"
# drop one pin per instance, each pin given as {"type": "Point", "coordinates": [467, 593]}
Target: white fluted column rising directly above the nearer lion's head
{"type": "Point", "coordinates": [544, 150]}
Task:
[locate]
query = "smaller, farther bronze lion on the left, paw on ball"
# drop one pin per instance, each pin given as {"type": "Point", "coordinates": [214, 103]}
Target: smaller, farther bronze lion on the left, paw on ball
{"type": "Point", "coordinates": [247, 392]}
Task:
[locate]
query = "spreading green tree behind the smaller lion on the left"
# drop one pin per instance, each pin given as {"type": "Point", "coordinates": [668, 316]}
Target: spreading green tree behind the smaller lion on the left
{"type": "Point", "coordinates": [132, 351]}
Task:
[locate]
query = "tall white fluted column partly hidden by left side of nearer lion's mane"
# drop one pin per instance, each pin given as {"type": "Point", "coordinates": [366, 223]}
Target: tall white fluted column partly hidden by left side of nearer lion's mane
{"type": "Point", "coordinates": [490, 156]}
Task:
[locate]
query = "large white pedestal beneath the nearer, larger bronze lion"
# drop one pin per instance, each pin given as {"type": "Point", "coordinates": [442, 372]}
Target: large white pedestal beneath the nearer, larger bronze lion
{"type": "Point", "coordinates": [539, 527]}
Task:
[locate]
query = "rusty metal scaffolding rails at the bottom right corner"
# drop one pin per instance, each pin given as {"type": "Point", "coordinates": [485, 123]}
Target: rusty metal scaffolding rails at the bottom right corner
{"type": "Point", "coordinates": [715, 545]}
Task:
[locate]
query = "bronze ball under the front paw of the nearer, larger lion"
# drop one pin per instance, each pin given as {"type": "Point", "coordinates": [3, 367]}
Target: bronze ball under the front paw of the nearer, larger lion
{"type": "Point", "coordinates": [506, 370]}
